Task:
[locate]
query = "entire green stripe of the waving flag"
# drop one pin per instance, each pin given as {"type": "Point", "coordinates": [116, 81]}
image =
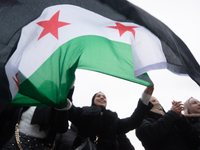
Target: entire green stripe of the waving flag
{"type": "Point", "coordinates": [51, 82]}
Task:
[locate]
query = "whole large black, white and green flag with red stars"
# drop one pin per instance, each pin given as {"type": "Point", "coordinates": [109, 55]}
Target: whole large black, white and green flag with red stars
{"type": "Point", "coordinates": [42, 44]}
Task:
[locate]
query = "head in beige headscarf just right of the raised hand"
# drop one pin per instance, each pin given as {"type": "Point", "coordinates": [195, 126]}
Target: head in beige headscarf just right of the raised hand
{"type": "Point", "coordinates": [157, 108]}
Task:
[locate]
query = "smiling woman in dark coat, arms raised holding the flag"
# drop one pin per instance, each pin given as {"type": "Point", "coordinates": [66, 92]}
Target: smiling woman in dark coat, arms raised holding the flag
{"type": "Point", "coordinates": [102, 126]}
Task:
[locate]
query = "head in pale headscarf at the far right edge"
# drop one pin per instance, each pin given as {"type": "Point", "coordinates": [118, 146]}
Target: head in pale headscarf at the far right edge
{"type": "Point", "coordinates": [192, 106]}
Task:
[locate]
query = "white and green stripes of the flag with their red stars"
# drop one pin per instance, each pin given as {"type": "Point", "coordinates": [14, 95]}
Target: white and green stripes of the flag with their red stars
{"type": "Point", "coordinates": [54, 45]}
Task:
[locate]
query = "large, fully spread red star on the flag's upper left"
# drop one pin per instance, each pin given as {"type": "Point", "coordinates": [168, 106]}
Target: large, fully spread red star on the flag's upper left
{"type": "Point", "coordinates": [51, 26]}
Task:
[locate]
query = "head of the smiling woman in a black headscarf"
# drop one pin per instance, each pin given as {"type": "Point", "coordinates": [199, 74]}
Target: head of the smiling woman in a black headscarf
{"type": "Point", "coordinates": [99, 99]}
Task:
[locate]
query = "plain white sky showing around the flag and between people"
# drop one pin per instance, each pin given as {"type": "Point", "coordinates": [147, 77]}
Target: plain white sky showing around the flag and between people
{"type": "Point", "coordinates": [183, 17]}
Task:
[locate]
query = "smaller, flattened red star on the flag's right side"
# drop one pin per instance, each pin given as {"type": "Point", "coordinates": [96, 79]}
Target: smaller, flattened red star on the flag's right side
{"type": "Point", "coordinates": [122, 28]}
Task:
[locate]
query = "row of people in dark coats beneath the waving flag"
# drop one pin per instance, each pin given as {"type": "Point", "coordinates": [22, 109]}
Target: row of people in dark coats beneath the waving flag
{"type": "Point", "coordinates": [97, 128]}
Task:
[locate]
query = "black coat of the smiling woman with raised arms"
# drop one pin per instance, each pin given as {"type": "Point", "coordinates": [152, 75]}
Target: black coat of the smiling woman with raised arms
{"type": "Point", "coordinates": [94, 121]}
